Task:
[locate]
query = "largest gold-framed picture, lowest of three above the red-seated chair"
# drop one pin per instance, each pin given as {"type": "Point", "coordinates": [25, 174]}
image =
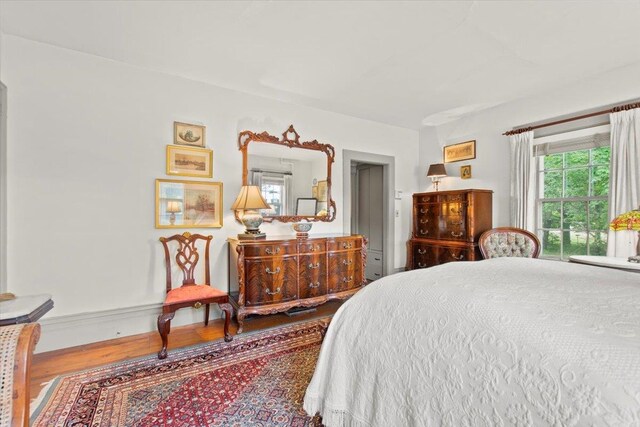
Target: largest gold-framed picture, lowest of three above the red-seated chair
{"type": "Point", "coordinates": [188, 204]}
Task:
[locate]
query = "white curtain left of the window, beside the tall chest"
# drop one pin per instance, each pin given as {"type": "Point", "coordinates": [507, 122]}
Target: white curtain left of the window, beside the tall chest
{"type": "Point", "coordinates": [522, 181]}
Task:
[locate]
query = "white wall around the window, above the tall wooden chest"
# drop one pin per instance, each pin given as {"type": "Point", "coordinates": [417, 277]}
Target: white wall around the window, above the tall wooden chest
{"type": "Point", "coordinates": [490, 169]}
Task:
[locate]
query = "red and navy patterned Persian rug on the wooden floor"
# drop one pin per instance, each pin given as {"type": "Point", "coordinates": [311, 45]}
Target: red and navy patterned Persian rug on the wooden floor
{"type": "Point", "coordinates": [258, 379]}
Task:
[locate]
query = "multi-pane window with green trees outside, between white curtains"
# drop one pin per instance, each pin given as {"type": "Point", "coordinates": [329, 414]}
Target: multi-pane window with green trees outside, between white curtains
{"type": "Point", "coordinates": [573, 188]}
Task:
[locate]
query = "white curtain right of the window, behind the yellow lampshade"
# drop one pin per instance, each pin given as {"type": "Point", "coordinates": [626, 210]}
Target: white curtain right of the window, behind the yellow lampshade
{"type": "Point", "coordinates": [624, 177]}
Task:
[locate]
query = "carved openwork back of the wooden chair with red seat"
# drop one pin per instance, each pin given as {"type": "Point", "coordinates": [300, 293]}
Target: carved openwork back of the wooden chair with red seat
{"type": "Point", "coordinates": [186, 257]}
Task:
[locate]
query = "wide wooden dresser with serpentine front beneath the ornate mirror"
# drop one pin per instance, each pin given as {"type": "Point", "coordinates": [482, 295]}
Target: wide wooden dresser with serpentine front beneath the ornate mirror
{"type": "Point", "coordinates": [280, 273]}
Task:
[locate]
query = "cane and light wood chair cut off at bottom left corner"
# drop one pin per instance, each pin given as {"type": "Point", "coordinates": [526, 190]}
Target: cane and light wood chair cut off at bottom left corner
{"type": "Point", "coordinates": [17, 343]}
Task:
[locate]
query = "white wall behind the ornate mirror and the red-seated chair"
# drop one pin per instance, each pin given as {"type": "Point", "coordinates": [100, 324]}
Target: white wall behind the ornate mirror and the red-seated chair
{"type": "Point", "coordinates": [86, 140]}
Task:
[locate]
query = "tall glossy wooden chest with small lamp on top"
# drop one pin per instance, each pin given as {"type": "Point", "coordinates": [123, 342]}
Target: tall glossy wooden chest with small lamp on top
{"type": "Point", "coordinates": [447, 225]}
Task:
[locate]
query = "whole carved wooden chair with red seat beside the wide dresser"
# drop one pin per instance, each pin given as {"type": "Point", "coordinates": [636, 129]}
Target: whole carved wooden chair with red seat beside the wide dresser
{"type": "Point", "coordinates": [189, 294]}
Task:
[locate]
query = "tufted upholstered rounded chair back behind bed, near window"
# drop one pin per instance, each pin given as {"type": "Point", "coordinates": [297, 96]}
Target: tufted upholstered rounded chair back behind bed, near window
{"type": "Point", "coordinates": [509, 242]}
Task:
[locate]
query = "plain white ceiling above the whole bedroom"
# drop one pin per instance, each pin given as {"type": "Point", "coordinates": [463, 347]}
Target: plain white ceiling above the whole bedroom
{"type": "Point", "coordinates": [404, 63]}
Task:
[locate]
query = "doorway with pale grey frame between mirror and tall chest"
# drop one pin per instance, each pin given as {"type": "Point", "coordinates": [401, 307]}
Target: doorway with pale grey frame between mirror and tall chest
{"type": "Point", "coordinates": [369, 205]}
